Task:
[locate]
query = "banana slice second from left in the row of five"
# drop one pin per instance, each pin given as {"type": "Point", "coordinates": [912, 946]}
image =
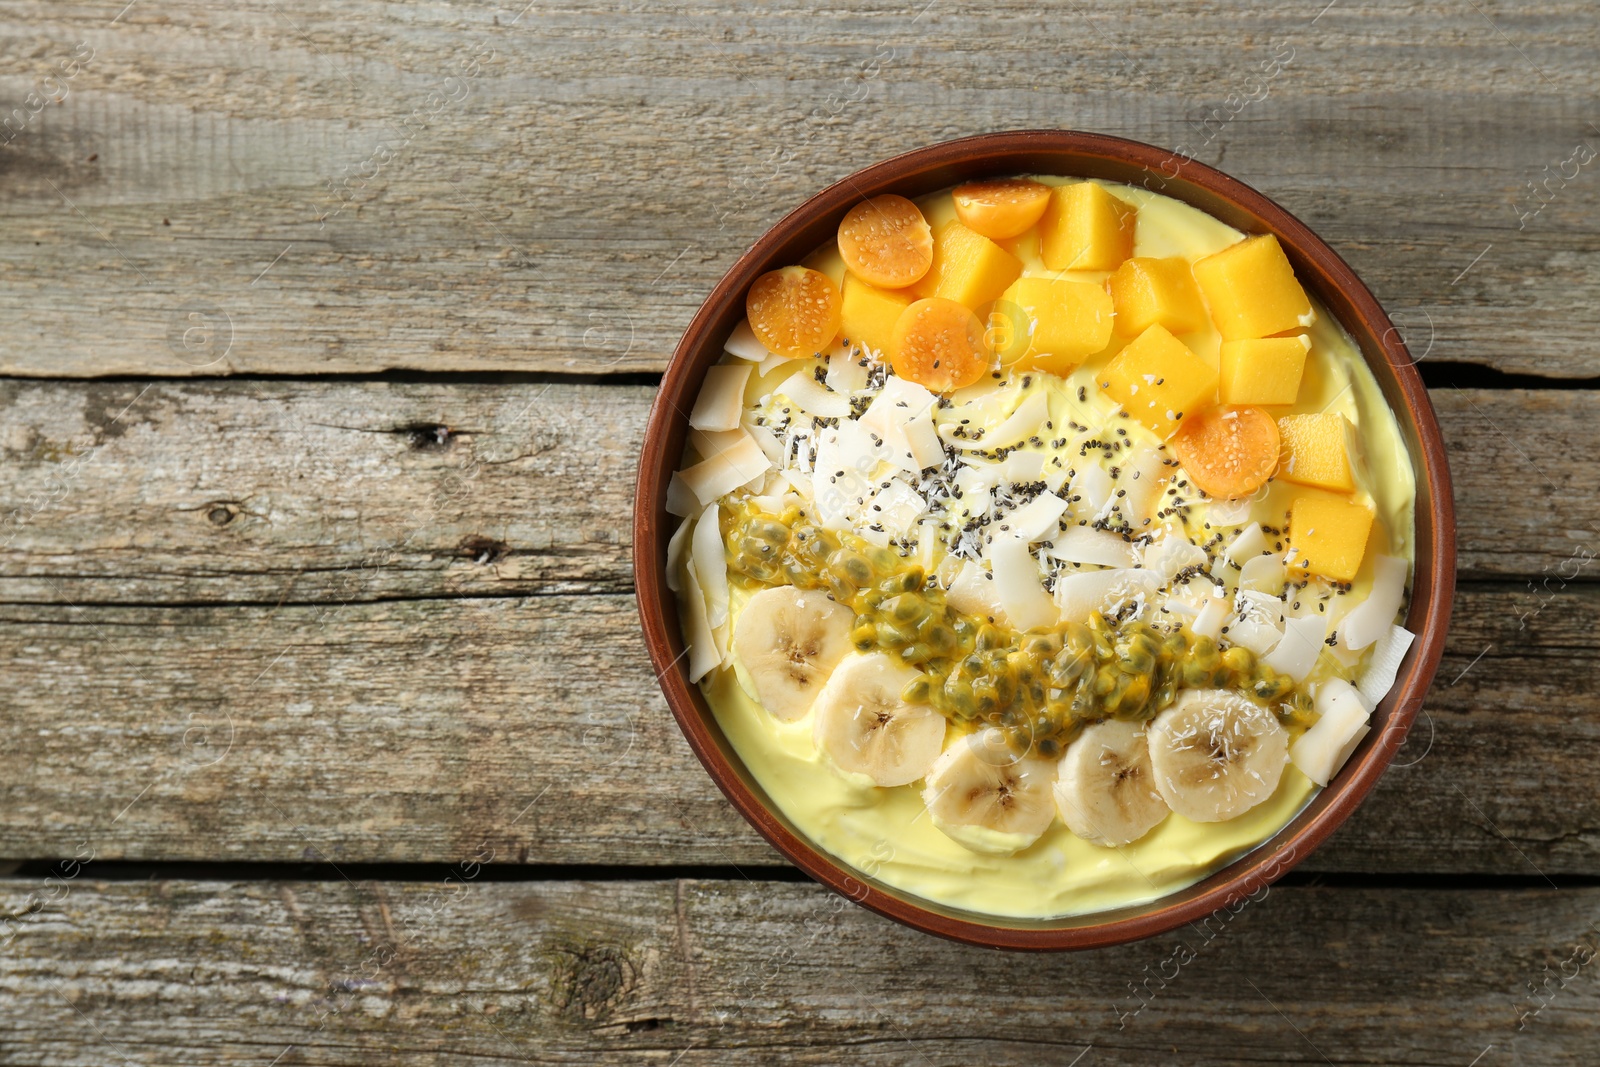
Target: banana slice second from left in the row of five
{"type": "Point", "coordinates": [865, 725]}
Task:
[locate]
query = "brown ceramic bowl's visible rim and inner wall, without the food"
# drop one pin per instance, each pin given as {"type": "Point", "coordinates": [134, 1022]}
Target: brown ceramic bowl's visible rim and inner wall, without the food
{"type": "Point", "coordinates": [1089, 156]}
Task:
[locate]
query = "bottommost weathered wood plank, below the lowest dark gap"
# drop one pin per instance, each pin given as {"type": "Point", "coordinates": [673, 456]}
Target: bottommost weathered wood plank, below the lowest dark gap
{"type": "Point", "coordinates": [767, 973]}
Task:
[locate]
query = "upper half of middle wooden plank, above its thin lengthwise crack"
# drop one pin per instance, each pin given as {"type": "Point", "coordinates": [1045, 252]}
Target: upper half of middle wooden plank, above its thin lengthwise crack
{"type": "Point", "coordinates": [338, 492]}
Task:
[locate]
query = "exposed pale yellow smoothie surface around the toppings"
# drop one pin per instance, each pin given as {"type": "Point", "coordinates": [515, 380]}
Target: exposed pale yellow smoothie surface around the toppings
{"type": "Point", "coordinates": [887, 833]}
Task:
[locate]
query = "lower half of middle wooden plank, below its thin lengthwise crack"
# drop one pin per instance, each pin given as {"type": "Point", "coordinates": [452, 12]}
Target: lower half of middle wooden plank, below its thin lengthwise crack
{"type": "Point", "coordinates": [420, 730]}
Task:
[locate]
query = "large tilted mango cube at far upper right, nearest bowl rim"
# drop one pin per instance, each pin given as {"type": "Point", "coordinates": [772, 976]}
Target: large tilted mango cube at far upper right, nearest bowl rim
{"type": "Point", "coordinates": [1252, 290]}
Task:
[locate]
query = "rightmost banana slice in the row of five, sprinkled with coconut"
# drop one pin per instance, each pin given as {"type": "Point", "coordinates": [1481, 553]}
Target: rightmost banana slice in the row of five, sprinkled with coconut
{"type": "Point", "coordinates": [1217, 754]}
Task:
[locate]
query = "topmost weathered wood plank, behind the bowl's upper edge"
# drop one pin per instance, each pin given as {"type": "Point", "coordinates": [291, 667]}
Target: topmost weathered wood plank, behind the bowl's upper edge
{"type": "Point", "coordinates": [292, 188]}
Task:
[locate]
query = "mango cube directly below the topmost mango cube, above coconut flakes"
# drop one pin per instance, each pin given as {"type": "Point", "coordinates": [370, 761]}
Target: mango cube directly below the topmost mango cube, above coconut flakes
{"type": "Point", "coordinates": [1055, 324]}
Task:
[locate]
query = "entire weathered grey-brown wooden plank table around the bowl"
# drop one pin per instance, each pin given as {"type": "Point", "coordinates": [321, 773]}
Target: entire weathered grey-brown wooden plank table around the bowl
{"type": "Point", "coordinates": [329, 335]}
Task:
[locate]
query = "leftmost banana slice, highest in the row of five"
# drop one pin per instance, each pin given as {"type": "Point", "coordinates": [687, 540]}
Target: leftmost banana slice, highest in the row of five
{"type": "Point", "coordinates": [790, 641]}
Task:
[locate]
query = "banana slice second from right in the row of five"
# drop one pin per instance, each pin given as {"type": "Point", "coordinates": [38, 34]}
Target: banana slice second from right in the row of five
{"type": "Point", "coordinates": [1105, 786]}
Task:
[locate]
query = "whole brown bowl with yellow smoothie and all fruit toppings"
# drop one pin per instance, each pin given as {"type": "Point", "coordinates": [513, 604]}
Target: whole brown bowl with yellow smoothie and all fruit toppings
{"type": "Point", "coordinates": [1042, 540]}
